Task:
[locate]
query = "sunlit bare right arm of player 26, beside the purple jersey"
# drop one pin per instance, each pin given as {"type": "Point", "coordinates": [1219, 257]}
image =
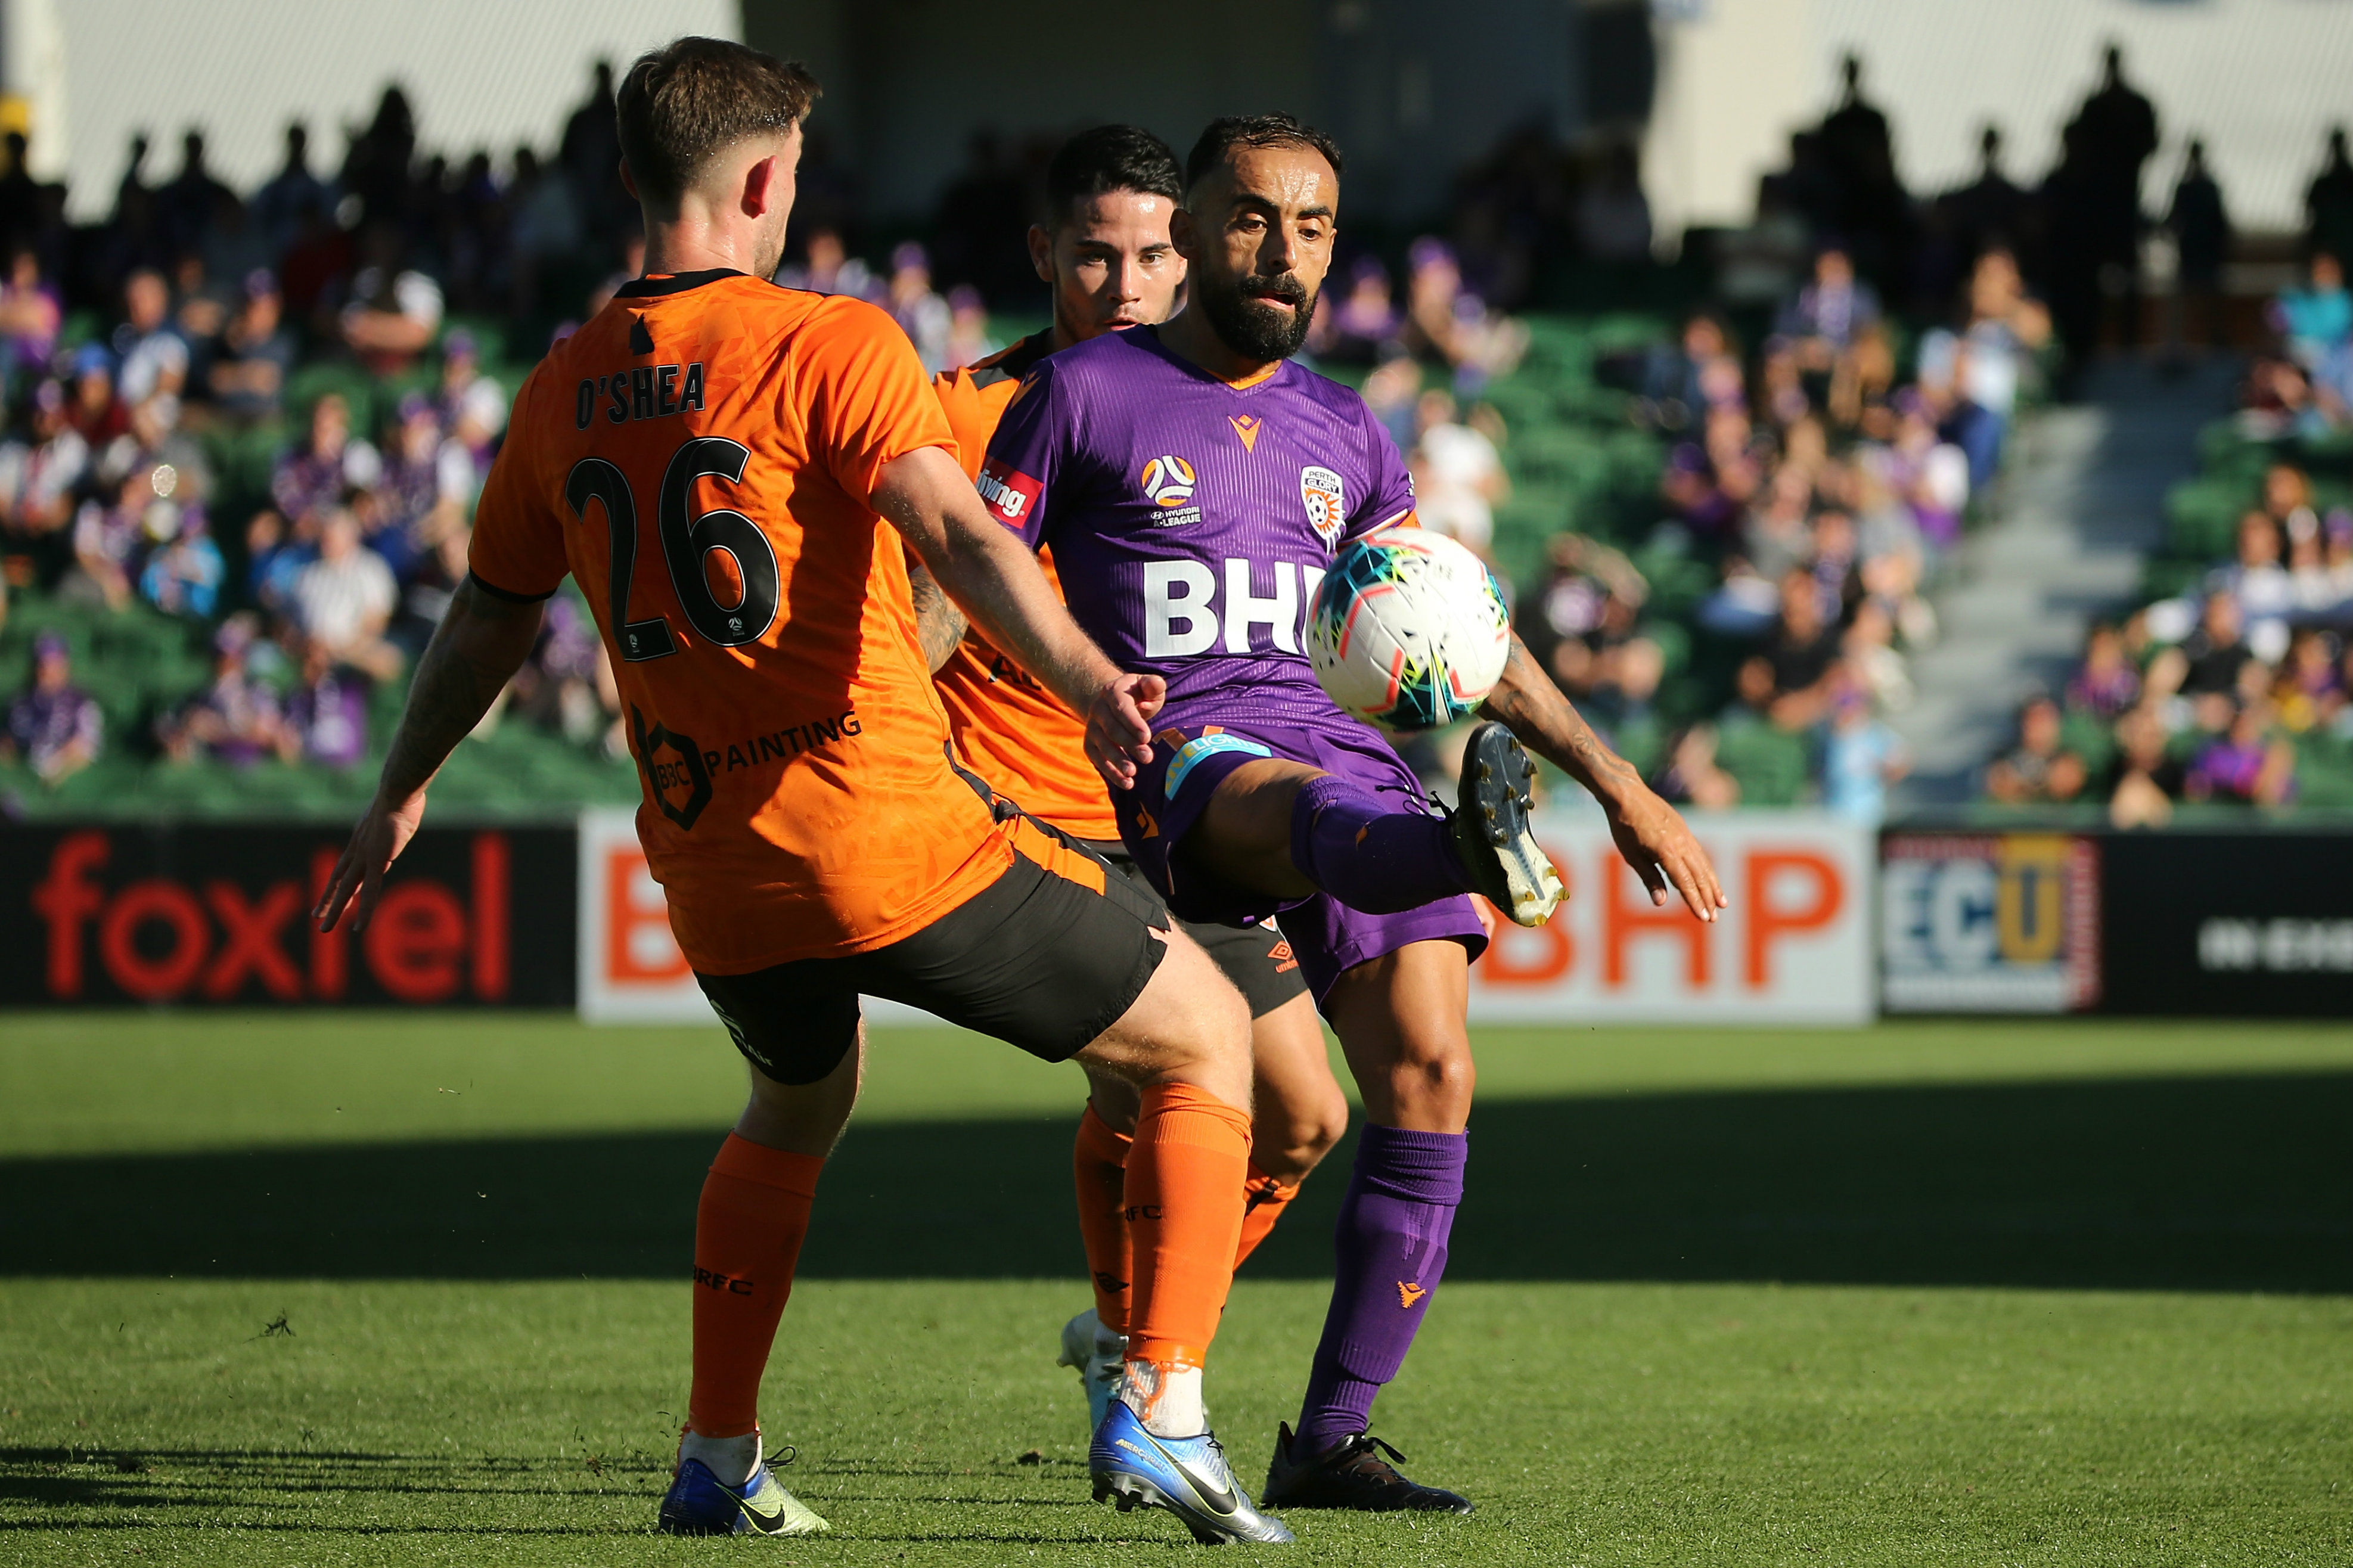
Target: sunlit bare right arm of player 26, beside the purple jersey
{"type": "Point", "coordinates": [994, 580]}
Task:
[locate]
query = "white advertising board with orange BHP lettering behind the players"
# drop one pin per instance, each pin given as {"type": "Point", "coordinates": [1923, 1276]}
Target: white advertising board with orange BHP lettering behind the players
{"type": "Point", "coordinates": [1792, 950]}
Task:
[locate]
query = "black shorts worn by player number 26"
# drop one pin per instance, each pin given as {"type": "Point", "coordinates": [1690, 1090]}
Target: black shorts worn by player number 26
{"type": "Point", "coordinates": [1046, 957]}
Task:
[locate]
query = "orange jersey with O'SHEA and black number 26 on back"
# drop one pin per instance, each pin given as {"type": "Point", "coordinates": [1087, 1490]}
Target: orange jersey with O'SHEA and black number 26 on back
{"type": "Point", "coordinates": [702, 460]}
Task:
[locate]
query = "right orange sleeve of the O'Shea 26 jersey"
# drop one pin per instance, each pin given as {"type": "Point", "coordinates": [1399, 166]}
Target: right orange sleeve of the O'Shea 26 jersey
{"type": "Point", "coordinates": [867, 394]}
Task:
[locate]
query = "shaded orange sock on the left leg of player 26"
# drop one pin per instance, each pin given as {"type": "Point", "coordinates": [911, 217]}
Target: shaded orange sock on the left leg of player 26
{"type": "Point", "coordinates": [747, 1240]}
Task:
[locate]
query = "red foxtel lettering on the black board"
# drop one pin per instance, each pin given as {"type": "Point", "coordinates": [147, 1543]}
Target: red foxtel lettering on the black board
{"type": "Point", "coordinates": [244, 934]}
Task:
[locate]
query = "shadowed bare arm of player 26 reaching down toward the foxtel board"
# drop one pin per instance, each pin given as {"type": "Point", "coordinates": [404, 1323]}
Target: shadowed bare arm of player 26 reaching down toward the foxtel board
{"type": "Point", "coordinates": [476, 651]}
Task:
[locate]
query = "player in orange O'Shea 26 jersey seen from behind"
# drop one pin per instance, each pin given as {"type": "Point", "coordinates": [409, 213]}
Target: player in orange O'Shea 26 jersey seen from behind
{"type": "Point", "coordinates": [733, 472]}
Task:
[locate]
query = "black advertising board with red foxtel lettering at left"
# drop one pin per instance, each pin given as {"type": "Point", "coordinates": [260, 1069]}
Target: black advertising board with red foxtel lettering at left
{"type": "Point", "coordinates": [218, 915]}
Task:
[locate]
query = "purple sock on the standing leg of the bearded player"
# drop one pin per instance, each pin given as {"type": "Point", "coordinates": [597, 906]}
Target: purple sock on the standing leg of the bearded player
{"type": "Point", "coordinates": [1392, 1251]}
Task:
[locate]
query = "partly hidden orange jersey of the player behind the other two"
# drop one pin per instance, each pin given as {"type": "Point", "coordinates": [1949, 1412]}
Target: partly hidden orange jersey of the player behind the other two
{"type": "Point", "coordinates": [1008, 726]}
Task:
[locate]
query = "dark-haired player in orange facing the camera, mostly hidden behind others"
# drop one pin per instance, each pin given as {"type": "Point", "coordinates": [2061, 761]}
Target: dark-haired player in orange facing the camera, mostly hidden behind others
{"type": "Point", "coordinates": [1109, 258]}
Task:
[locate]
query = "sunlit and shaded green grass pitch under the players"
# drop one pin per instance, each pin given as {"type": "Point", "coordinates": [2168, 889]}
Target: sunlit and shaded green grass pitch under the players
{"type": "Point", "coordinates": [408, 1291]}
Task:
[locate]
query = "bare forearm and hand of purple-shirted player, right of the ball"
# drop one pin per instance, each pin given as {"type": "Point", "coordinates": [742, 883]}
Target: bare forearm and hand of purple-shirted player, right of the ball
{"type": "Point", "coordinates": [1651, 832]}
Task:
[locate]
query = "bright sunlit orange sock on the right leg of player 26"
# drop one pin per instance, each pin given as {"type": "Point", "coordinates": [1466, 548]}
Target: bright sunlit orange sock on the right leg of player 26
{"type": "Point", "coordinates": [1185, 1209]}
